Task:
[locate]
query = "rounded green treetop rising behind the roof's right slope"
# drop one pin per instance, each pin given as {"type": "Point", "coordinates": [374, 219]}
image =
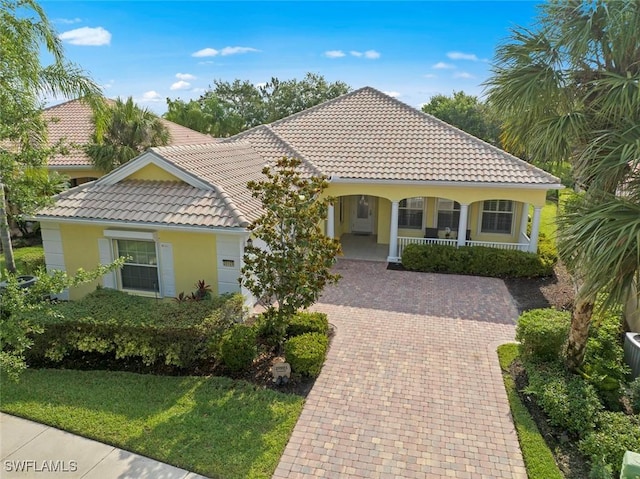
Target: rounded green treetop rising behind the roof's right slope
{"type": "Point", "coordinates": [468, 113]}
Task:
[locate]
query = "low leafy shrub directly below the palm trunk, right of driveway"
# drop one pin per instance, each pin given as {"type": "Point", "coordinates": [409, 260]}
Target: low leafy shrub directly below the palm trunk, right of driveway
{"type": "Point", "coordinates": [569, 401]}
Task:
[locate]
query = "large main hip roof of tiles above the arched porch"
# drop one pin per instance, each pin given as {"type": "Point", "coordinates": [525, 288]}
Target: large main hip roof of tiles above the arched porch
{"type": "Point", "coordinates": [366, 134]}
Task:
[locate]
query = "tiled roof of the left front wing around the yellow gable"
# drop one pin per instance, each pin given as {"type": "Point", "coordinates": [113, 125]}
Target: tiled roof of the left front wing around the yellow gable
{"type": "Point", "coordinates": [212, 191]}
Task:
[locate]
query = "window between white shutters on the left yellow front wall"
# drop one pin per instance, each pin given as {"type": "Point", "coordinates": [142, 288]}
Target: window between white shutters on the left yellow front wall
{"type": "Point", "coordinates": [140, 271]}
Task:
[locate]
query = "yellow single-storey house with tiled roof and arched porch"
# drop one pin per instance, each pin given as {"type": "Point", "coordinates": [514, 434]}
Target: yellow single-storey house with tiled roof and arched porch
{"type": "Point", "coordinates": [397, 175]}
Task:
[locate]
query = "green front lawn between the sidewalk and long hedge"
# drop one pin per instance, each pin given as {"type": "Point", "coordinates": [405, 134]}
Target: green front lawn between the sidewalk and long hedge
{"type": "Point", "coordinates": [213, 426]}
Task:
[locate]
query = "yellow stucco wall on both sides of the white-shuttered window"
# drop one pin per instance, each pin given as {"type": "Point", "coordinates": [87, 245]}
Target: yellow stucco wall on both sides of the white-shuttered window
{"type": "Point", "coordinates": [194, 255]}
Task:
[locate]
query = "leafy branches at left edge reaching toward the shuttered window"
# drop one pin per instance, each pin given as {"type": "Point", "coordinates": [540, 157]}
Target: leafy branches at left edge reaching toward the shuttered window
{"type": "Point", "coordinates": [19, 306]}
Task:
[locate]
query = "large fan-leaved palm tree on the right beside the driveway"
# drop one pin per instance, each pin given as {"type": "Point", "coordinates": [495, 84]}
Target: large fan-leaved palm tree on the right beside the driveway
{"type": "Point", "coordinates": [568, 90]}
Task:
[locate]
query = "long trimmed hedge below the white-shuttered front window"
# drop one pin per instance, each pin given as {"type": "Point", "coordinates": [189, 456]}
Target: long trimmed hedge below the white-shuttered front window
{"type": "Point", "coordinates": [109, 321]}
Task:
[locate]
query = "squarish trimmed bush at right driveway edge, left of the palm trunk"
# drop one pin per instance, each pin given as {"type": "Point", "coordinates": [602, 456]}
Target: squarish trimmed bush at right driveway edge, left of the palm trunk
{"type": "Point", "coordinates": [542, 333]}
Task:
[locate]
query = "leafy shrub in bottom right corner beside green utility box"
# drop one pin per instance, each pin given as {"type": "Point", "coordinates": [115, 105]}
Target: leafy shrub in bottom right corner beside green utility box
{"type": "Point", "coordinates": [615, 434]}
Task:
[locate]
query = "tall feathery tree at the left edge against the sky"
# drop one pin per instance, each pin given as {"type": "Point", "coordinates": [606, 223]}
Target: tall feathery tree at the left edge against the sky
{"type": "Point", "coordinates": [24, 31]}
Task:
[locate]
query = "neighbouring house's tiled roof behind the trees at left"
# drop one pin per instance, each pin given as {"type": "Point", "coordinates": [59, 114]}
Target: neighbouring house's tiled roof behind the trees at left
{"type": "Point", "coordinates": [72, 121]}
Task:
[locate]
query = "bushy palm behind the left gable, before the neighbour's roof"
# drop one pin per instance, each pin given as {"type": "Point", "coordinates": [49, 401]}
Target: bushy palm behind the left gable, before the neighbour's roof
{"type": "Point", "coordinates": [123, 132]}
